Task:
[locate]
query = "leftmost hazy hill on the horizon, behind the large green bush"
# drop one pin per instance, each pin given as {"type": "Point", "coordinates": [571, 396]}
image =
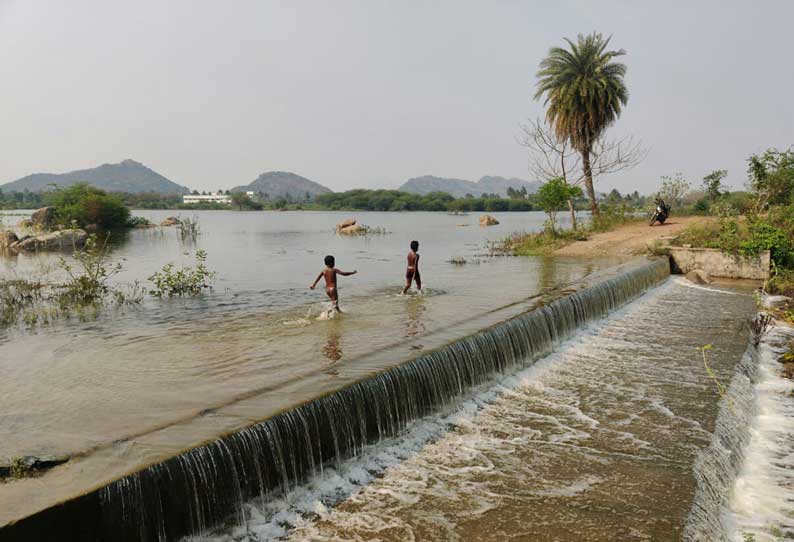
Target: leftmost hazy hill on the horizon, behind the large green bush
{"type": "Point", "coordinates": [127, 176]}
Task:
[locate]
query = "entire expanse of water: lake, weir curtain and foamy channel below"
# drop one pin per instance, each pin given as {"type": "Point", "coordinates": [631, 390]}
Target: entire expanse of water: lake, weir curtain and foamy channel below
{"type": "Point", "coordinates": [518, 399]}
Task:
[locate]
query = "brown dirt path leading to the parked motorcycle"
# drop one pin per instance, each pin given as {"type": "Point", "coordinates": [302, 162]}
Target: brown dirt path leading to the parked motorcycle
{"type": "Point", "coordinates": [627, 240]}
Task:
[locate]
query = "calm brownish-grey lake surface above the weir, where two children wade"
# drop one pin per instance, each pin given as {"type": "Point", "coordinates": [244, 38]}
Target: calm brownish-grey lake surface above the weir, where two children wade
{"type": "Point", "coordinates": [130, 385]}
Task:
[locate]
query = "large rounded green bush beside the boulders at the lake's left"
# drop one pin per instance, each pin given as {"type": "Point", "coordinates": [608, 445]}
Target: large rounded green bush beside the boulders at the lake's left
{"type": "Point", "coordinates": [82, 205]}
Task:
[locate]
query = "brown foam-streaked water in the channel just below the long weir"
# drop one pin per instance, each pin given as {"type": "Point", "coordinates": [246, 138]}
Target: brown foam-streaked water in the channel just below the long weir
{"type": "Point", "coordinates": [599, 441]}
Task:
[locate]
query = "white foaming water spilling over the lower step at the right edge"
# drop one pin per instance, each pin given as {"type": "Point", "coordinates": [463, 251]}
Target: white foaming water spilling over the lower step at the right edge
{"type": "Point", "coordinates": [738, 427]}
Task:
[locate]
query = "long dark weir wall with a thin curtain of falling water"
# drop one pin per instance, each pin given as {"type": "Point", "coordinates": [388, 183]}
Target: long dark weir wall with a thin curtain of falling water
{"type": "Point", "coordinates": [207, 485]}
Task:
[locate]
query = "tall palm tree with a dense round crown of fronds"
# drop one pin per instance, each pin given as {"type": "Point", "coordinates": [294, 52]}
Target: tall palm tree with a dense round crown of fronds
{"type": "Point", "coordinates": [584, 94]}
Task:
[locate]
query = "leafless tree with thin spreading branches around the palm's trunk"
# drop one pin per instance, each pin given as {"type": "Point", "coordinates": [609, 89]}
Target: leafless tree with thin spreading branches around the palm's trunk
{"type": "Point", "coordinates": [550, 157]}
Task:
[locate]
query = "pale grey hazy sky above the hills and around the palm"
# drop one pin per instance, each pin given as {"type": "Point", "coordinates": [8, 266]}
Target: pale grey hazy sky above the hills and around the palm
{"type": "Point", "coordinates": [369, 93]}
